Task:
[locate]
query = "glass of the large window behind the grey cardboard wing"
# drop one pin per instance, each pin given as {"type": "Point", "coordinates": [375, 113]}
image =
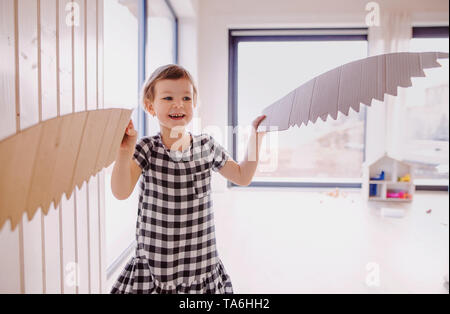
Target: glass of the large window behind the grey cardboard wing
{"type": "Point", "coordinates": [331, 151]}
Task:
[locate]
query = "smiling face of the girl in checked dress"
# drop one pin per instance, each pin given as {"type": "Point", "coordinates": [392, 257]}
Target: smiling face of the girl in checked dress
{"type": "Point", "coordinates": [173, 102]}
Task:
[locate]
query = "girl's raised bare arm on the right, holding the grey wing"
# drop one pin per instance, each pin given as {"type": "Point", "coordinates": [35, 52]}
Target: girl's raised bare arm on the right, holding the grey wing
{"type": "Point", "coordinates": [242, 173]}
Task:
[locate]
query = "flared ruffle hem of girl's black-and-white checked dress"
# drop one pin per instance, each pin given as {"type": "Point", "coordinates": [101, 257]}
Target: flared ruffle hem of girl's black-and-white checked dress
{"type": "Point", "coordinates": [137, 278]}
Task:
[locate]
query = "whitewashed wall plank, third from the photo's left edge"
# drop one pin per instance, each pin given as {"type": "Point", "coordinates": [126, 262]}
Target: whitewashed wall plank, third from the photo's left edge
{"type": "Point", "coordinates": [49, 103]}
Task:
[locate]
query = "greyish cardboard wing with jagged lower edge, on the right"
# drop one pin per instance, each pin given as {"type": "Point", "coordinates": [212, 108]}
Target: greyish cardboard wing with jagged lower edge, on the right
{"type": "Point", "coordinates": [347, 86]}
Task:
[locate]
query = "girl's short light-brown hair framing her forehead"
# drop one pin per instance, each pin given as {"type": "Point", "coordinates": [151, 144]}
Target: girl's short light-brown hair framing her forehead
{"type": "Point", "coordinates": [165, 72]}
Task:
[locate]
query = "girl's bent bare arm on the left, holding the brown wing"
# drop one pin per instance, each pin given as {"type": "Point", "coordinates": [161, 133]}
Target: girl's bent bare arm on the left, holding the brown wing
{"type": "Point", "coordinates": [125, 172]}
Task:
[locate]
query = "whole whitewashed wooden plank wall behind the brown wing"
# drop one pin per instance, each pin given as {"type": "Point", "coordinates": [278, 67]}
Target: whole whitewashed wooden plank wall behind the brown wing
{"type": "Point", "coordinates": [50, 68]}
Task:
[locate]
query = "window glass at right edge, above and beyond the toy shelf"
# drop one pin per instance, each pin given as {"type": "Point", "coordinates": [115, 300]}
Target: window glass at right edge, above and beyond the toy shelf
{"type": "Point", "coordinates": [426, 138]}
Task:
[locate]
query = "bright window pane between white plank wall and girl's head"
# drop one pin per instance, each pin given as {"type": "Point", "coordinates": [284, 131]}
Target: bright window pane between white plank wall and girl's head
{"type": "Point", "coordinates": [121, 91]}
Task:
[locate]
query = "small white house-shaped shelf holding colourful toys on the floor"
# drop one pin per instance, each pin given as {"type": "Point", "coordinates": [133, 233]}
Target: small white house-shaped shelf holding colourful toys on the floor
{"type": "Point", "coordinates": [388, 179]}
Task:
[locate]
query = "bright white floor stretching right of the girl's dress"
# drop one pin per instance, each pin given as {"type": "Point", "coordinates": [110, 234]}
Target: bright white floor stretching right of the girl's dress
{"type": "Point", "coordinates": [294, 241]}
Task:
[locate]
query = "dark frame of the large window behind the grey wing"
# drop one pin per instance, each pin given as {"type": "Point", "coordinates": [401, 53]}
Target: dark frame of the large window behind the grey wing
{"type": "Point", "coordinates": [237, 35]}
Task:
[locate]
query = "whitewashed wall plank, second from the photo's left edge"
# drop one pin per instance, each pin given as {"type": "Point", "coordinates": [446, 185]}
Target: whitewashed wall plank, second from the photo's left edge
{"type": "Point", "coordinates": [29, 115]}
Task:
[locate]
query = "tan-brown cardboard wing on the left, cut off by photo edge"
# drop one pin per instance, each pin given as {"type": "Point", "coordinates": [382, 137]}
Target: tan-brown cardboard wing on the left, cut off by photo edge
{"type": "Point", "coordinates": [40, 164]}
